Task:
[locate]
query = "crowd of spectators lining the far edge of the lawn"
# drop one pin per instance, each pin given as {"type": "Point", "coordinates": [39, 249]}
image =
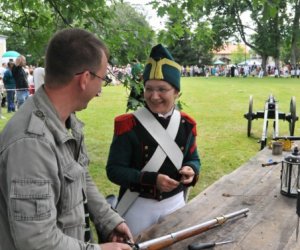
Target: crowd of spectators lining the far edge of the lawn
{"type": "Point", "coordinates": [18, 80]}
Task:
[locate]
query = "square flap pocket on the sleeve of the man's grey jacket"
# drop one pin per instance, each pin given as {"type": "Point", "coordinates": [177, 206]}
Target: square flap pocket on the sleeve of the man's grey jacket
{"type": "Point", "coordinates": [30, 199]}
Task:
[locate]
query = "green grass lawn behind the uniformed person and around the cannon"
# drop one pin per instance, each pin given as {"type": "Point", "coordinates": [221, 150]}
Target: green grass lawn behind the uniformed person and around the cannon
{"type": "Point", "coordinates": [217, 104]}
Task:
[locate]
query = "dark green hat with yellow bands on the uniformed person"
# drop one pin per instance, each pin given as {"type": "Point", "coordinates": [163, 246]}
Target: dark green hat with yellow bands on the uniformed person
{"type": "Point", "coordinates": [162, 66]}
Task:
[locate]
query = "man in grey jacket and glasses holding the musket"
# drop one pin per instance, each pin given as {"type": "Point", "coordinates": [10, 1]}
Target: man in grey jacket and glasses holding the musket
{"type": "Point", "coordinates": [44, 180]}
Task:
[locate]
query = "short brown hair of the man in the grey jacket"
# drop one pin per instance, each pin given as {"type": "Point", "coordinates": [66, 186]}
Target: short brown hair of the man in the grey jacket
{"type": "Point", "coordinates": [72, 51]}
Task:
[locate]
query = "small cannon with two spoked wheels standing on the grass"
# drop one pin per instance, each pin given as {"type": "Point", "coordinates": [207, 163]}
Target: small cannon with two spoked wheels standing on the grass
{"type": "Point", "coordinates": [271, 111]}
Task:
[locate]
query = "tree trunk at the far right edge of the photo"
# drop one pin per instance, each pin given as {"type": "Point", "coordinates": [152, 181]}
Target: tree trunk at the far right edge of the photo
{"type": "Point", "coordinates": [295, 35]}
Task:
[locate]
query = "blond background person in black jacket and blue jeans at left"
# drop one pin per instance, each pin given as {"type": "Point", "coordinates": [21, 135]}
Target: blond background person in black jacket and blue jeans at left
{"type": "Point", "coordinates": [20, 76]}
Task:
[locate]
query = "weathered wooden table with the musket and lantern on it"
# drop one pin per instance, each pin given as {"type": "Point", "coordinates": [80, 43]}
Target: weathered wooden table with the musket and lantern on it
{"type": "Point", "coordinates": [271, 221]}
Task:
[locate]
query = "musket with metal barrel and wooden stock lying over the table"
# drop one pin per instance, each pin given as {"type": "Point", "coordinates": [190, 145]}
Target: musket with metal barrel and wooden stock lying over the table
{"type": "Point", "coordinates": [170, 239]}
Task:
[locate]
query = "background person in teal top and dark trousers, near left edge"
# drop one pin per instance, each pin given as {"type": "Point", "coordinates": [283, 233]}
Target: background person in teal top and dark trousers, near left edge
{"type": "Point", "coordinates": [10, 86]}
